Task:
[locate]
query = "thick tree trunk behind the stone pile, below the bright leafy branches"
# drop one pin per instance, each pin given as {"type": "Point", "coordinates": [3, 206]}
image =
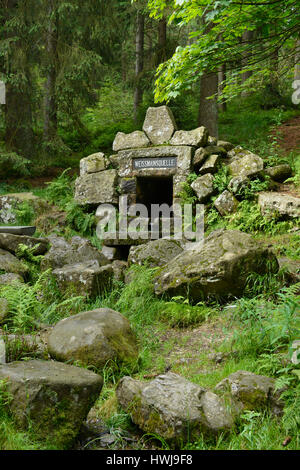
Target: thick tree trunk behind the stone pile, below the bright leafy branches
{"type": "Point", "coordinates": [208, 109]}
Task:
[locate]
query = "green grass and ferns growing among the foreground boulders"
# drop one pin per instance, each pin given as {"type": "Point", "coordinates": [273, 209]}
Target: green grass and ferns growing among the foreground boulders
{"type": "Point", "coordinates": [258, 334]}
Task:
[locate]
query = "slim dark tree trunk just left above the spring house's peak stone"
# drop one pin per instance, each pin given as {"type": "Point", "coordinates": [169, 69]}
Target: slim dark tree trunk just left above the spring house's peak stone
{"type": "Point", "coordinates": [139, 62]}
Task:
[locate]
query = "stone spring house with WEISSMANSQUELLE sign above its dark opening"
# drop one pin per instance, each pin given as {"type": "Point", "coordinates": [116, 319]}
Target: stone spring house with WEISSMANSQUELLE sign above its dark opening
{"type": "Point", "coordinates": [149, 166]}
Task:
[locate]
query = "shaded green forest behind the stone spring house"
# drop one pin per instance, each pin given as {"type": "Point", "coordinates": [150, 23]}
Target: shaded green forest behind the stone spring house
{"type": "Point", "coordinates": [78, 72]}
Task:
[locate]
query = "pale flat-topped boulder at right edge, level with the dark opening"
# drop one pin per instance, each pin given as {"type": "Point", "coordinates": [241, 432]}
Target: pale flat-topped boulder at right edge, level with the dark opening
{"type": "Point", "coordinates": [280, 204]}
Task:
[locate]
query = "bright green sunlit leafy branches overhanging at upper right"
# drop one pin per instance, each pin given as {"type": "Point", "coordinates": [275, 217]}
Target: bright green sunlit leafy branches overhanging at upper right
{"type": "Point", "coordinates": [221, 43]}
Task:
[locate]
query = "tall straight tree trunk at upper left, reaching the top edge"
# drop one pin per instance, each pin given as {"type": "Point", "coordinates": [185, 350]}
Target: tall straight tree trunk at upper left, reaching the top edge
{"type": "Point", "coordinates": [50, 110]}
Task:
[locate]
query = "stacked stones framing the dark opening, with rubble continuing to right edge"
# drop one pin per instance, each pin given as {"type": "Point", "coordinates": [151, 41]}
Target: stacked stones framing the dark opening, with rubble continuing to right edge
{"type": "Point", "coordinates": [160, 149]}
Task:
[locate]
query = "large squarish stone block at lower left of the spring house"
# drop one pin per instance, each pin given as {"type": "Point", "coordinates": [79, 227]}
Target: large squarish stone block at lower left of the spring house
{"type": "Point", "coordinates": [97, 188]}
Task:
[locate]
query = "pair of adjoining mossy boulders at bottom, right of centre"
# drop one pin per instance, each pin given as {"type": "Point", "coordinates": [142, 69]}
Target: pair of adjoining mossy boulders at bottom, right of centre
{"type": "Point", "coordinates": [177, 410]}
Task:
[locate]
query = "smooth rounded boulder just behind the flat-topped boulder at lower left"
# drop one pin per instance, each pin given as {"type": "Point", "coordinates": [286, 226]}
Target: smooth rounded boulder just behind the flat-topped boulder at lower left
{"type": "Point", "coordinates": [94, 338]}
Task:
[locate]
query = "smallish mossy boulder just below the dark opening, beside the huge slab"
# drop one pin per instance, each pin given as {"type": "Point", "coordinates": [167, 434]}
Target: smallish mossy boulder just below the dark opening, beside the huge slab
{"type": "Point", "coordinates": [155, 253]}
